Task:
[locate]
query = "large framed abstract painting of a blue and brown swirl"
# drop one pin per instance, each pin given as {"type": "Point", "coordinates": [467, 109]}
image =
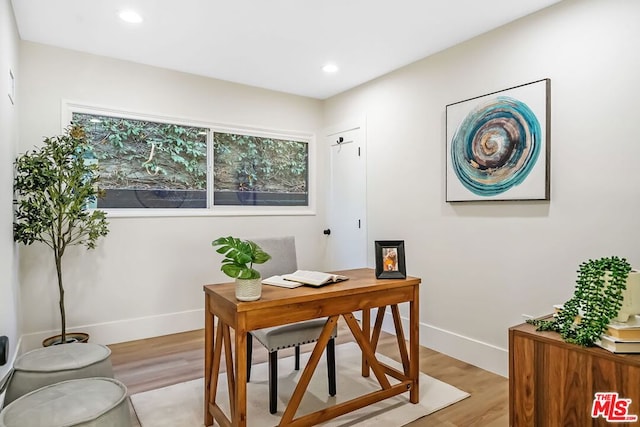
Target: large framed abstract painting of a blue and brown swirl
{"type": "Point", "coordinates": [498, 145]}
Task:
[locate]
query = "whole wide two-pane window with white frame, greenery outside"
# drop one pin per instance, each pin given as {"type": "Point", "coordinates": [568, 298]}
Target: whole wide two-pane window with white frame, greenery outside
{"type": "Point", "coordinates": [158, 164]}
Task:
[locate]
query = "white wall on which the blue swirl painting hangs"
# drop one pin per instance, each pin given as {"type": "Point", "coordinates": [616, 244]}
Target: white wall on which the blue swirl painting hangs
{"type": "Point", "coordinates": [485, 264]}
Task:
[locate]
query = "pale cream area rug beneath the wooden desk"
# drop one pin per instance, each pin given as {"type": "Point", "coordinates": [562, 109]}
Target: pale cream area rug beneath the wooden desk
{"type": "Point", "coordinates": [181, 405]}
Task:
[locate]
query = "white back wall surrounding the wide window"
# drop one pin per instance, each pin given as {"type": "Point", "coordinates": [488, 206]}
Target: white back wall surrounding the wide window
{"type": "Point", "coordinates": [145, 278]}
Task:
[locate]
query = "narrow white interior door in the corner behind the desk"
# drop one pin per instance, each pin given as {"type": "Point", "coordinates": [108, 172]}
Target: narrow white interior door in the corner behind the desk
{"type": "Point", "coordinates": [347, 243]}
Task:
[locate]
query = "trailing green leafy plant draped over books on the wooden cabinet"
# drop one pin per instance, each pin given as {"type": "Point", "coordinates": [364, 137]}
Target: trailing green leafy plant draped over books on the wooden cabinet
{"type": "Point", "coordinates": [597, 299]}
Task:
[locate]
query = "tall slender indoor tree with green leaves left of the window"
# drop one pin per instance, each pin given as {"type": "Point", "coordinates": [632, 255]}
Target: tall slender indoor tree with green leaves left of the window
{"type": "Point", "coordinates": [53, 188]}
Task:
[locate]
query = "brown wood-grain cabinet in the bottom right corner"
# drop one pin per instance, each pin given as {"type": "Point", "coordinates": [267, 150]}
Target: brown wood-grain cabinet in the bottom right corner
{"type": "Point", "coordinates": [553, 383]}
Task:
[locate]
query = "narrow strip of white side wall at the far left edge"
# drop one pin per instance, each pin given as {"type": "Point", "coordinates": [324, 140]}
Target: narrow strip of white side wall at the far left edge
{"type": "Point", "coordinates": [9, 317]}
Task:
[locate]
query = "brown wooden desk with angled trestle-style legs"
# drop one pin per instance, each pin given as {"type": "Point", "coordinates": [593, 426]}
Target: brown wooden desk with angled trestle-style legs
{"type": "Point", "coordinates": [279, 306]}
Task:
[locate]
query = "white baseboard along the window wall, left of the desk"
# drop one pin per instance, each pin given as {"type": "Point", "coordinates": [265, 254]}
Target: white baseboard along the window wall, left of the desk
{"type": "Point", "coordinates": [127, 329]}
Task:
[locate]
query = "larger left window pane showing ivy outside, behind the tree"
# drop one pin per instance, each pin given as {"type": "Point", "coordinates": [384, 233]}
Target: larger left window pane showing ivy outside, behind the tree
{"type": "Point", "coordinates": [146, 164]}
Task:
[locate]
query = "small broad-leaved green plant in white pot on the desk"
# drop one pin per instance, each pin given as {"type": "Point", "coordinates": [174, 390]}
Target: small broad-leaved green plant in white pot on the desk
{"type": "Point", "coordinates": [239, 258]}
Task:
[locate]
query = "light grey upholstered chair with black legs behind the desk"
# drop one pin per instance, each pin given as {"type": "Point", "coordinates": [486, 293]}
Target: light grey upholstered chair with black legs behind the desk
{"type": "Point", "coordinates": [283, 260]}
